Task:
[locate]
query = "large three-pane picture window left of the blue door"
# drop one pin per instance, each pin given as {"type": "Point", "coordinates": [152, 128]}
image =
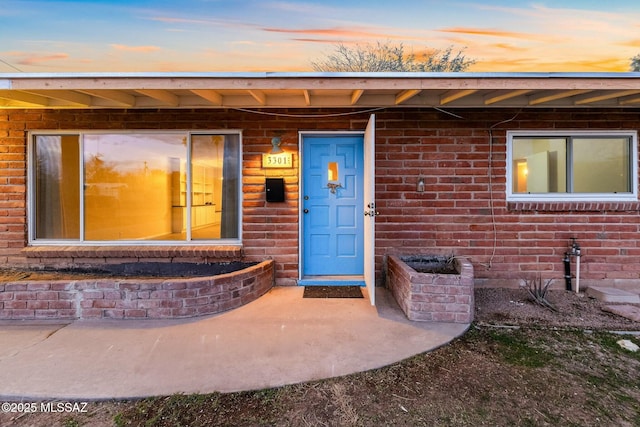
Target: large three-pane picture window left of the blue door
{"type": "Point", "coordinates": [147, 186]}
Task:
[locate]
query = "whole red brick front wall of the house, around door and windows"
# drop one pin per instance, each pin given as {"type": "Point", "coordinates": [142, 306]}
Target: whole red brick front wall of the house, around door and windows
{"type": "Point", "coordinates": [453, 215]}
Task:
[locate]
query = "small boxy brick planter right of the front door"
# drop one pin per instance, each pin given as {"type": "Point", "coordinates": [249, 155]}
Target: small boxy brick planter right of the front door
{"type": "Point", "coordinates": [435, 297]}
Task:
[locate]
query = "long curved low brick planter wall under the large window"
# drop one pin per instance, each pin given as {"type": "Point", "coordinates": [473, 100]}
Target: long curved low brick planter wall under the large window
{"type": "Point", "coordinates": [114, 298]}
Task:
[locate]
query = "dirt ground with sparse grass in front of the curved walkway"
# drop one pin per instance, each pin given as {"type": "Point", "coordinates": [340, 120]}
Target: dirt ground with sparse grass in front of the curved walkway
{"type": "Point", "coordinates": [519, 364]}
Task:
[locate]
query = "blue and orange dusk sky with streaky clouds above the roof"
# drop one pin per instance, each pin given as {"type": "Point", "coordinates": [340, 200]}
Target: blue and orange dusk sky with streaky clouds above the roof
{"type": "Point", "coordinates": [217, 35]}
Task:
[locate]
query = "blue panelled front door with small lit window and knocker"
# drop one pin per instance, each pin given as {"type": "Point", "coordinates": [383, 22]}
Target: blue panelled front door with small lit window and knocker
{"type": "Point", "coordinates": [332, 203]}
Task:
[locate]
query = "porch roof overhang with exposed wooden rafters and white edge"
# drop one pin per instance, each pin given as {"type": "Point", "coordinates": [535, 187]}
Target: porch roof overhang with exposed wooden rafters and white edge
{"type": "Point", "coordinates": [318, 90]}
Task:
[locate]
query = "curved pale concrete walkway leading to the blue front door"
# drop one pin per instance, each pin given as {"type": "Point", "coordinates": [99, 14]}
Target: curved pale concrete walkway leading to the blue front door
{"type": "Point", "coordinates": [279, 339]}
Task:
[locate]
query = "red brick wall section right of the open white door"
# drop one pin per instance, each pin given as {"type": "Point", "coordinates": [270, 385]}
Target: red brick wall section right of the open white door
{"type": "Point", "coordinates": [454, 215]}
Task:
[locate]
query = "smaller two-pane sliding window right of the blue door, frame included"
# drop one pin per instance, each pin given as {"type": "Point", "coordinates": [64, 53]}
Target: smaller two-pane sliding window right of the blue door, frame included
{"type": "Point", "coordinates": [572, 166]}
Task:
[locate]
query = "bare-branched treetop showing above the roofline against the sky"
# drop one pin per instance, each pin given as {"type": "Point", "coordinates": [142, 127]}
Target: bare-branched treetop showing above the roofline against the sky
{"type": "Point", "coordinates": [385, 57]}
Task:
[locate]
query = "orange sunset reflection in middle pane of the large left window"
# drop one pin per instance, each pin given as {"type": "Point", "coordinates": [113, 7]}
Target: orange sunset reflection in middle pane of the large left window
{"type": "Point", "coordinates": [127, 185]}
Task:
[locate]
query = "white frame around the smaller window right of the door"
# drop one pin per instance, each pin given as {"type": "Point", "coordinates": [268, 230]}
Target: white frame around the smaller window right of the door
{"type": "Point", "coordinates": [577, 197]}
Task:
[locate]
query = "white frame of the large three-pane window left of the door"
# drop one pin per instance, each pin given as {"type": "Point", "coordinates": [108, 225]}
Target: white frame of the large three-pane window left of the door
{"type": "Point", "coordinates": [31, 211]}
